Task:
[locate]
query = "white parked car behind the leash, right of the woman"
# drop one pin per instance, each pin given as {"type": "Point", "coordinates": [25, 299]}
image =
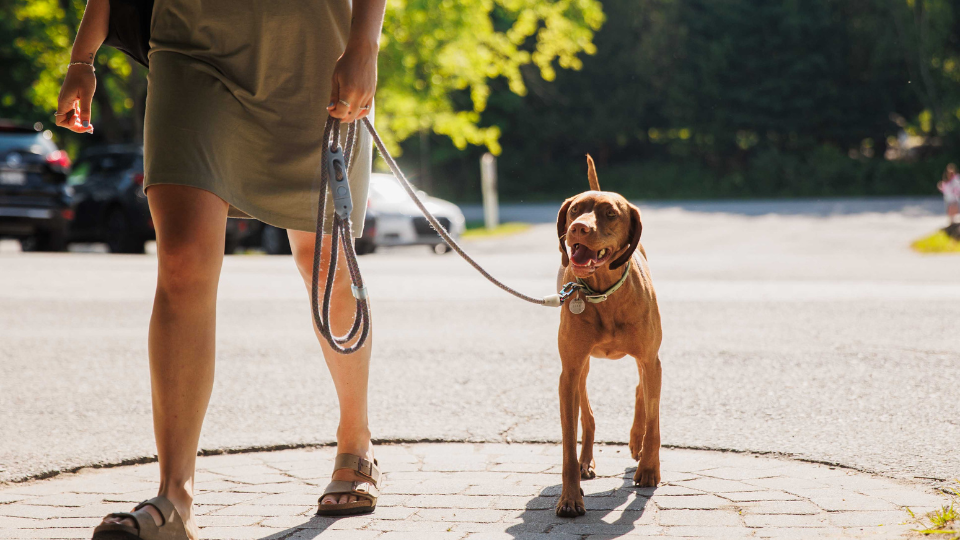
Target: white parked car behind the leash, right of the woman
{"type": "Point", "coordinates": [399, 221]}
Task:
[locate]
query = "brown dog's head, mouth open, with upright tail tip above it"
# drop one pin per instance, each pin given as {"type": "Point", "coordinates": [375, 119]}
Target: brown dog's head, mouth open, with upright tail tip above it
{"type": "Point", "coordinates": [597, 229]}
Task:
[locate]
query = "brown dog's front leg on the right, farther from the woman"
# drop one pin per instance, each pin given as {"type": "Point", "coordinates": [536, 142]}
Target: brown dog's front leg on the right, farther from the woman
{"type": "Point", "coordinates": [648, 470]}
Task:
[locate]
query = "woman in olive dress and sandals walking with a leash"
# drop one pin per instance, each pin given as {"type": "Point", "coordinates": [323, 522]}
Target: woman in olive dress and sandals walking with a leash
{"type": "Point", "coordinates": [238, 93]}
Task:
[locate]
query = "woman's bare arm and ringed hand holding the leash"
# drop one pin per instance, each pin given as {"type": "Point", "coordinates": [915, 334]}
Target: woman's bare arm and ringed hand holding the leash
{"type": "Point", "coordinates": [355, 76]}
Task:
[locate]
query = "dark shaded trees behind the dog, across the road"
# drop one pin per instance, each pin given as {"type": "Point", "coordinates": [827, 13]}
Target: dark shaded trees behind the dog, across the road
{"type": "Point", "coordinates": [694, 98]}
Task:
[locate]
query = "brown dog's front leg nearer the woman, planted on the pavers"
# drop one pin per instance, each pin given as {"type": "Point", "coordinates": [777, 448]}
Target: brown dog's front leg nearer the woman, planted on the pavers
{"type": "Point", "coordinates": [571, 498]}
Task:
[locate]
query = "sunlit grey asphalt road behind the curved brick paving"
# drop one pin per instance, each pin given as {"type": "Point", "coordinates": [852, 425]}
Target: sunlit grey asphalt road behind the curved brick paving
{"type": "Point", "coordinates": [815, 333]}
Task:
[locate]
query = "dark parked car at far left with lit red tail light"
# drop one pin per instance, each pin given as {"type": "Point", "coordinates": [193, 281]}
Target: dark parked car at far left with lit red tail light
{"type": "Point", "coordinates": [34, 197]}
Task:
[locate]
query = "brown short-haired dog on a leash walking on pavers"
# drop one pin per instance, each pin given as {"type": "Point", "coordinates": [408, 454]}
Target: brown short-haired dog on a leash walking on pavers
{"type": "Point", "coordinates": [600, 240]}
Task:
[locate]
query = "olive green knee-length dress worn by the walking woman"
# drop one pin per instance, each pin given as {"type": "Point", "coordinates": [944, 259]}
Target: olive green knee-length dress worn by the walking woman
{"type": "Point", "coordinates": [236, 104]}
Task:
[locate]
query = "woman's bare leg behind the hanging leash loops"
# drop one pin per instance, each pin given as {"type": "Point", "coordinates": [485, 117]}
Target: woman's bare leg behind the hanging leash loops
{"type": "Point", "coordinates": [349, 372]}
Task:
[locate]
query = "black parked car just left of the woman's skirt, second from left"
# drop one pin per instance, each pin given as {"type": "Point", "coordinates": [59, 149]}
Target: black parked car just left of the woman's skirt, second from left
{"type": "Point", "coordinates": [108, 202]}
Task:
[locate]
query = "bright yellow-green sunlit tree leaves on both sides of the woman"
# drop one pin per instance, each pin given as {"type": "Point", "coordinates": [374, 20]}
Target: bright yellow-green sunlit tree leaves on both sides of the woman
{"type": "Point", "coordinates": [433, 53]}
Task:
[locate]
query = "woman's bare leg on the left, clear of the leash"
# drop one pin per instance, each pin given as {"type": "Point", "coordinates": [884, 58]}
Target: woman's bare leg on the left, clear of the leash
{"type": "Point", "coordinates": [190, 225]}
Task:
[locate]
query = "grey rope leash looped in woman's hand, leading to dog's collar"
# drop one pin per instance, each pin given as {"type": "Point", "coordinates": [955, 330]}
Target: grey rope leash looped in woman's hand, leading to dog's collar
{"type": "Point", "coordinates": [334, 164]}
